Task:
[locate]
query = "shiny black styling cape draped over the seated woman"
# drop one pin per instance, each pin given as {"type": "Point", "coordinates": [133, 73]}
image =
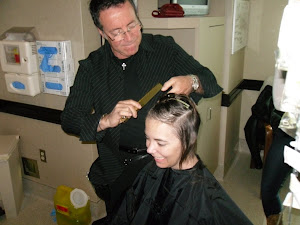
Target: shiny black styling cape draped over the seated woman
{"type": "Point", "coordinates": [183, 197]}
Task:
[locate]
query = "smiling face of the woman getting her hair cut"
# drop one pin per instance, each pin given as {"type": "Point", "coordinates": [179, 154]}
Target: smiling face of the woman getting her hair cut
{"type": "Point", "coordinates": [163, 144]}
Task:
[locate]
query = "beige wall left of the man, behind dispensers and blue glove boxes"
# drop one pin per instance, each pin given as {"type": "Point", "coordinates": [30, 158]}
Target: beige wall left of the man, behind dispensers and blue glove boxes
{"type": "Point", "coordinates": [68, 160]}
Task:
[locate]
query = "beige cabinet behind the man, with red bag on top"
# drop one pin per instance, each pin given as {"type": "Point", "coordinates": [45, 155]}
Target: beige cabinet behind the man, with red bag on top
{"type": "Point", "coordinates": [202, 37]}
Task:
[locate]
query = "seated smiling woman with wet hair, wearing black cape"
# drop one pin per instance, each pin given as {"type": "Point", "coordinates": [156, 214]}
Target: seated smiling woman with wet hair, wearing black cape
{"type": "Point", "coordinates": [176, 188]}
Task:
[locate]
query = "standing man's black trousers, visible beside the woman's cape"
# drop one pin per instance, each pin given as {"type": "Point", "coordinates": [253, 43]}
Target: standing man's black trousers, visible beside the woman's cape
{"type": "Point", "coordinates": [113, 193]}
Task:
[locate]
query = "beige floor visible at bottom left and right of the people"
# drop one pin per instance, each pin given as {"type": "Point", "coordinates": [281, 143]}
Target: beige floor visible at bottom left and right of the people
{"type": "Point", "coordinates": [241, 183]}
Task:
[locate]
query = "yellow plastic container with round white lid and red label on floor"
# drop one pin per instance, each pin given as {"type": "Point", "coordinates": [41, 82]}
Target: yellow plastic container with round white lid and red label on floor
{"type": "Point", "coordinates": [72, 206]}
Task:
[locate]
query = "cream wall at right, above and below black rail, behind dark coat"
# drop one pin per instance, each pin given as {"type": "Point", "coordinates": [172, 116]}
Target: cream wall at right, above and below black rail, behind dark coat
{"type": "Point", "coordinates": [264, 24]}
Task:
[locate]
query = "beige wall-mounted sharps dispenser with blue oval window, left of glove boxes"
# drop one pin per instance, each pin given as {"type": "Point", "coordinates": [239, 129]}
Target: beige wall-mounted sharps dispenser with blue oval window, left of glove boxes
{"type": "Point", "coordinates": [18, 56]}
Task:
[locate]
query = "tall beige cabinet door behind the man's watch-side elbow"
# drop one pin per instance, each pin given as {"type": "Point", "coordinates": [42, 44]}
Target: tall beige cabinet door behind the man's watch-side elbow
{"type": "Point", "coordinates": [210, 54]}
